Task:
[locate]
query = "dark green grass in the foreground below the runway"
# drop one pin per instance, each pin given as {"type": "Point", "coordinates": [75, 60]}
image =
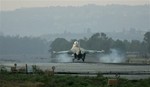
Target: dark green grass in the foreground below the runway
{"type": "Point", "coordinates": [42, 80]}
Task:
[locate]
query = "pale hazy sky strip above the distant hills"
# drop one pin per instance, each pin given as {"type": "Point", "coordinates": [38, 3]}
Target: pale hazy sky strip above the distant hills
{"type": "Point", "coordinates": [15, 4]}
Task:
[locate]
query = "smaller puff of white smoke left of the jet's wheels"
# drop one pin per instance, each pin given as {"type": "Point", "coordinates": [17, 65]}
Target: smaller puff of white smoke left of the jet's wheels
{"type": "Point", "coordinates": [63, 58]}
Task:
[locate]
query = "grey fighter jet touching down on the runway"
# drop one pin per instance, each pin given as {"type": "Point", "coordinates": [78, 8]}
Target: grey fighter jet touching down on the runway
{"type": "Point", "coordinates": [78, 52]}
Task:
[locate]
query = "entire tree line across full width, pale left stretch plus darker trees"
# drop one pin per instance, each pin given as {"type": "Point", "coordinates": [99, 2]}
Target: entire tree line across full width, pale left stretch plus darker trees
{"type": "Point", "coordinates": [98, 41]}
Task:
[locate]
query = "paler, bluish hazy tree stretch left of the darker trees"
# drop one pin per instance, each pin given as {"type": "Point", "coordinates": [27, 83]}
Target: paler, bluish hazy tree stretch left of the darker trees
{"type": "Point", "coordinates": [22, 45]}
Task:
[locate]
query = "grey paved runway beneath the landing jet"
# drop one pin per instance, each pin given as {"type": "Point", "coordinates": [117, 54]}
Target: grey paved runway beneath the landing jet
{"type": "Point", "coordinates": [92, 68]}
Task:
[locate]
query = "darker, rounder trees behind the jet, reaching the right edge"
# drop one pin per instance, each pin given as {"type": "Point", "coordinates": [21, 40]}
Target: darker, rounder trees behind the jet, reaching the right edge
{"type": "Point", "coordinates": [99, 41]}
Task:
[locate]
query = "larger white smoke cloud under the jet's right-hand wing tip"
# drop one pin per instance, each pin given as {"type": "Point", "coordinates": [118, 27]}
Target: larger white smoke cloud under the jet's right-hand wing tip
{"type": "Point", "coordinates": [113, 57]}
